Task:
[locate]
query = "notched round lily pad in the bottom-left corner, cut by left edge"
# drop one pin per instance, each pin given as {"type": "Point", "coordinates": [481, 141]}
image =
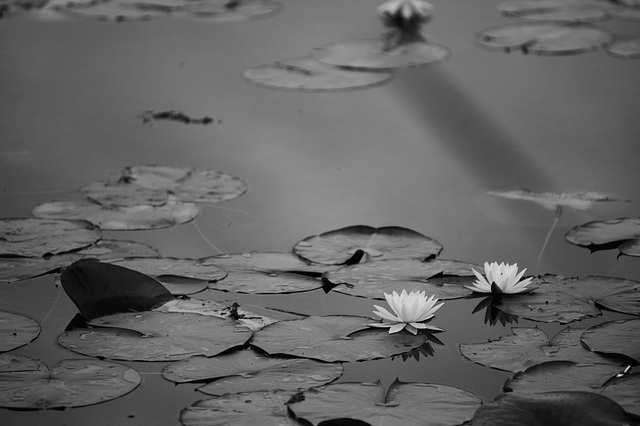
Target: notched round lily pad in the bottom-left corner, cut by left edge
{"type": "Point", "coordinates": [28, 384]}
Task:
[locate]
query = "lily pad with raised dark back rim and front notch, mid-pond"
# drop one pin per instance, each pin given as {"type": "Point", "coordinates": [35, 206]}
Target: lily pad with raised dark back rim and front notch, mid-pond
{"type": "Point", "coordinates": [389, 242]}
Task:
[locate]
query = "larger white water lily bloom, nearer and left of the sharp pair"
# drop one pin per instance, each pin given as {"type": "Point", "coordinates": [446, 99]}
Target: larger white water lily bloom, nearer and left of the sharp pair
{"type": "Point", "coordinates": [410, 310]}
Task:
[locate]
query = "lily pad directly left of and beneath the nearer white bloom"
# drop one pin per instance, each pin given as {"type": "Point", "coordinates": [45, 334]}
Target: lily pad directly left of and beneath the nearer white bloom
{"type": "Point", "coordinates": [333, 338]}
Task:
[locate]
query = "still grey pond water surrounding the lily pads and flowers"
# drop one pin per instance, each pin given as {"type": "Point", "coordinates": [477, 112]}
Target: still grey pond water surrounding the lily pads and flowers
{"type": "Point", "coordinates": [420, 152]}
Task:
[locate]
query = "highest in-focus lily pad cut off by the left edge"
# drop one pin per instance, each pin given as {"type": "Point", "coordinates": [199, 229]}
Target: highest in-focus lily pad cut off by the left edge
{"type": "Point", "coordinates": [39, 237]}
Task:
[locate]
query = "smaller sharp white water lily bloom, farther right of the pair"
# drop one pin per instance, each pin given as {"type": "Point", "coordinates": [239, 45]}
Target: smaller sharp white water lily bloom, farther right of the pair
{"type": "Point", "coordinates": [500, 279]}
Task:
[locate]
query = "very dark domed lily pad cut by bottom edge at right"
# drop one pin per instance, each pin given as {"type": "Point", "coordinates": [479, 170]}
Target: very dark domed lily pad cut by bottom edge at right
{"type": "Point", "coordinates": [571, 408]}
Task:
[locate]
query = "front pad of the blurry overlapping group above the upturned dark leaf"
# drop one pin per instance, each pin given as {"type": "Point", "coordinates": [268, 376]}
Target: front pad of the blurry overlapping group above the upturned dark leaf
{"type": "Point", "coordinates": [136, 217]}
